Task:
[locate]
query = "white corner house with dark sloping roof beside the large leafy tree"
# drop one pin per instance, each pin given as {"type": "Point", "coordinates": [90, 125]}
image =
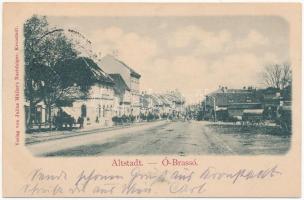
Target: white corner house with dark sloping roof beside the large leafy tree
{"type": "Point", "coordinates": [97, 107]}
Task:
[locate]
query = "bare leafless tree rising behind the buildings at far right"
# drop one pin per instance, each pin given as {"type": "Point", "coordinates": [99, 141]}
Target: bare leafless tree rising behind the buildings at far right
{"type": "Point", "coordinates": [277, 76]}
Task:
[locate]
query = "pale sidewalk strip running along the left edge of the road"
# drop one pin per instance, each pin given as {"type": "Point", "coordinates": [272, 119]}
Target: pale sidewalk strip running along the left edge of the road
{"type": "Point", "coordinates": [37, 137]}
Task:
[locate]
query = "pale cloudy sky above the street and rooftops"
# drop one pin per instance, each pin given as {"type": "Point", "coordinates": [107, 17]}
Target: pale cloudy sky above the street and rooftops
{"type": "Point", "coordinates": [192, 54]}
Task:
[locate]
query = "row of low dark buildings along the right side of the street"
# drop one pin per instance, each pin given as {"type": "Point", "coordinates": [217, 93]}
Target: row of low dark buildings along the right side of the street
{"type": "Point", "coordinates": [225, 104]}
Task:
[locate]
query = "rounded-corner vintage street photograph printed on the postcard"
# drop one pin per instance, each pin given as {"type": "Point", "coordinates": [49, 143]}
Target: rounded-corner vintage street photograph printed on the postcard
{"type": "Point", "coordinates": [163, 85]}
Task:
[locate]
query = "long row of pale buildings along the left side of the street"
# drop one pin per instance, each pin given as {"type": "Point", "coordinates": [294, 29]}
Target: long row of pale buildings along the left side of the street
{"type": "Point", "coordinates": [115, 94]}
